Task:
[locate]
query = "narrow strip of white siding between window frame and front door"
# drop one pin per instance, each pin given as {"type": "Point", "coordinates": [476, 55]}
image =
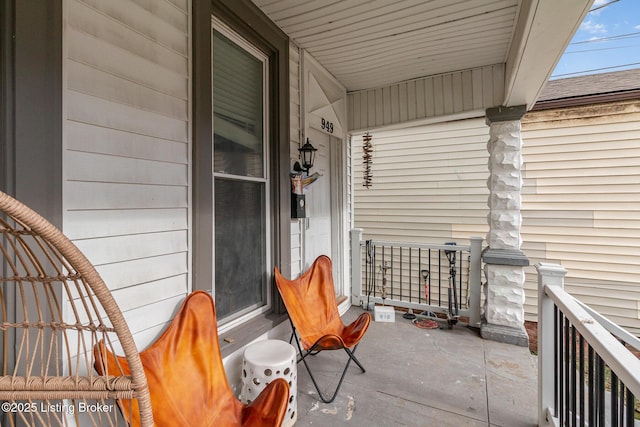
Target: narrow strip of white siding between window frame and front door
{"type": "Point", "coordinates": [295, 135]}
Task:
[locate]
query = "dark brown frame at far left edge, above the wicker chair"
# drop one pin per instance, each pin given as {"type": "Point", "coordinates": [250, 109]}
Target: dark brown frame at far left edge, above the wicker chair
{"type": "Point", "coordinates": [31, 114]}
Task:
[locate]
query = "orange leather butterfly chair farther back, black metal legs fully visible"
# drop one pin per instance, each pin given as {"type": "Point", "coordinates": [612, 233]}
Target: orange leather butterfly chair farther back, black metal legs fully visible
{"type": "Point", "coordinates": [313, 311]}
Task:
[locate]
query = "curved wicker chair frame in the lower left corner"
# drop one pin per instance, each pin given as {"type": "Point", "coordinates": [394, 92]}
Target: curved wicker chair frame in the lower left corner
{"type": "Point", "coordinates": [54, 308]}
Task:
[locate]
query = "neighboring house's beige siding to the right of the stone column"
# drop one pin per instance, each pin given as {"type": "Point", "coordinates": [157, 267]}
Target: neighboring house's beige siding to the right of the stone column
{"type": "Point", "coordinates": [581, 203]}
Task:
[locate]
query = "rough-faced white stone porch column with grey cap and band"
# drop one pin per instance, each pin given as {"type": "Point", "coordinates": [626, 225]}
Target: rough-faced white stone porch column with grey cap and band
{"type": "Point", "coordinates": [504, 261]}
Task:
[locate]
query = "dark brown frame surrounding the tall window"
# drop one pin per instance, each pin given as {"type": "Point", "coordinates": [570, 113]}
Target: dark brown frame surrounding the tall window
{"type": "Point", "coordinates": [246, 19]}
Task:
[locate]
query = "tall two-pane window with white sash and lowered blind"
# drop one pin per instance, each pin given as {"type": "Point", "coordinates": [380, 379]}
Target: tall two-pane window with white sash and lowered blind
{"type": "Point", "coordinates": [240, 175]}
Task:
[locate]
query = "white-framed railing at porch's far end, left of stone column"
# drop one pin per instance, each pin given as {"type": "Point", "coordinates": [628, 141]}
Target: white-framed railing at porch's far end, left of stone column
{"type": "Point", "coordinates": [417, 276]}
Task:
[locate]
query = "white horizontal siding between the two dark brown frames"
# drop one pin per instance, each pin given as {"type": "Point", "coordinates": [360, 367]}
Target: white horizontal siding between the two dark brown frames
{"type": "Point", "coordinates": [127, 150]}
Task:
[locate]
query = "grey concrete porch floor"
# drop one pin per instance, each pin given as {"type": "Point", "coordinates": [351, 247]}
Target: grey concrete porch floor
{"type": "Point", "coordinates": [418, 377]}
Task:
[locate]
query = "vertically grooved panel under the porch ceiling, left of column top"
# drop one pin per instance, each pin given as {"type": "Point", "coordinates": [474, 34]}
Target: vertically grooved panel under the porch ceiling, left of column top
{"type": "Point", "coordinates": [446, 94]}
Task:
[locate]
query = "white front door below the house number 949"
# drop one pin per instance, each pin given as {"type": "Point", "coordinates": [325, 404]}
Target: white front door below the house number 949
{"type": "Point", "coordinates": [321, 224]}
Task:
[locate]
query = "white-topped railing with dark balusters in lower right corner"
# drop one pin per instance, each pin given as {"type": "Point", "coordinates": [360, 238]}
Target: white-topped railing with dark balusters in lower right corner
{"type": "Point", "coordinates": [586, 376]}
